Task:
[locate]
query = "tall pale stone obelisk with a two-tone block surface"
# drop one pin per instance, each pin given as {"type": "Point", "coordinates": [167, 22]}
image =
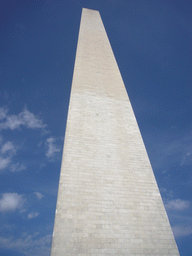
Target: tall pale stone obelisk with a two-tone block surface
{"type": "Point", "coordinates": [108, 200]}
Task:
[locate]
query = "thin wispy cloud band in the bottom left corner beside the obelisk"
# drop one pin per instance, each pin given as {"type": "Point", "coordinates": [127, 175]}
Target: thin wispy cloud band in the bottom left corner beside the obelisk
{"type": "Point", "coordinates": [30, 245]}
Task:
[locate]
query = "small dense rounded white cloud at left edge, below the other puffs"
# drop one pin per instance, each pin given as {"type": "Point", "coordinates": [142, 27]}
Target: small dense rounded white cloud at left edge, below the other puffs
{"type": "Point", "coordinates": [11, 202]}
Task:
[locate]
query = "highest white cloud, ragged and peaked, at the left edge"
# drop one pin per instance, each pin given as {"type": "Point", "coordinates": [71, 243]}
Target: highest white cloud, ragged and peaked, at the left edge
{"type": "Point", "coordinates": [25, 118]}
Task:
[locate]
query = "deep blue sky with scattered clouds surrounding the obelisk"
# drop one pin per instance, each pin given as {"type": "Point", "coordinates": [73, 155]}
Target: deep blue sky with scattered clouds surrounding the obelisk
{"type": "Point", "coordinates": [152, 42]}
